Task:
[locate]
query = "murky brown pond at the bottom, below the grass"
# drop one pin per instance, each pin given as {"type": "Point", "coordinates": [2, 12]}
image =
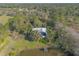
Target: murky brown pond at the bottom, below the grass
{"type": "Point", "coordinates": [41, 52]}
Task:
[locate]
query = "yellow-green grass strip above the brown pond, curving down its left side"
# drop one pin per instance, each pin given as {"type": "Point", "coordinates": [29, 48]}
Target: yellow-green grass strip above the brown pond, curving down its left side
{"type": "Point", "coordinates": [22, 44]}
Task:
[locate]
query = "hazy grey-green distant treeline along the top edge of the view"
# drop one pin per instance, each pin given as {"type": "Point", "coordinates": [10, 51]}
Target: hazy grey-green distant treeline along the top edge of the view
{"type": "Point", "coordinates": [24, 5]}
